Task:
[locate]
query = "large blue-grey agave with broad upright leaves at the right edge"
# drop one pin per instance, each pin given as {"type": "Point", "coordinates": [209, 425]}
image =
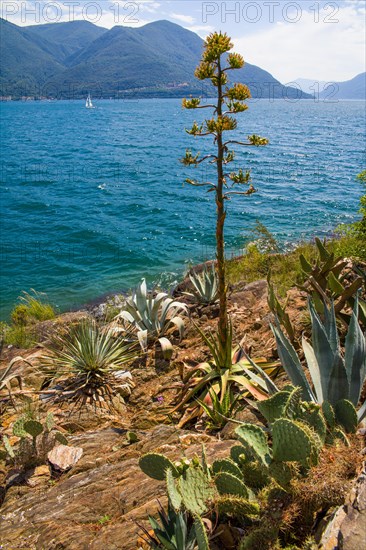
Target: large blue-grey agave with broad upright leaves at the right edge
{"type": "Point", "coordinates": [337, 381]}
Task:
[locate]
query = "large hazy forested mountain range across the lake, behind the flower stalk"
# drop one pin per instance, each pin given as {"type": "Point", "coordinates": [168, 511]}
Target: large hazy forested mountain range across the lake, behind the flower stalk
{"type": "Point", "coordinates": [69, 60]}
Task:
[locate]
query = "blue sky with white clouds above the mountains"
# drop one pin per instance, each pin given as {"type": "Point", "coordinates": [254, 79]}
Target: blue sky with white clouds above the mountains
{"type": "Point", "coordinates": [319, 40]}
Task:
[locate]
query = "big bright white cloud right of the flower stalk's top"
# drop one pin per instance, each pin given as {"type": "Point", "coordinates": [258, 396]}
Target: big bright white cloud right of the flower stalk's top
{"type": "Point", "coordinates": [323, 51]}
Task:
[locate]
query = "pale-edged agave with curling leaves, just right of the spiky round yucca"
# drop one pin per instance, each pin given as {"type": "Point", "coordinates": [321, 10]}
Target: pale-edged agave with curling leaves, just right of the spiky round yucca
{"type": "Point", "coordinates": [153, 317]}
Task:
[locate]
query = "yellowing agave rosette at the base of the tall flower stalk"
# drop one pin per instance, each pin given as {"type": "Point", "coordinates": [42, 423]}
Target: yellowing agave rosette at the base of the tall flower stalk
{"type": "Point", "coordinates": [227, 368]}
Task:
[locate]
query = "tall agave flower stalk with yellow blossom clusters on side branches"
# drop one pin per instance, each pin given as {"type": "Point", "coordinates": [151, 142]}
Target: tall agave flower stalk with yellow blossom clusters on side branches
{"type": "Point", "coordinates": [215, 65]}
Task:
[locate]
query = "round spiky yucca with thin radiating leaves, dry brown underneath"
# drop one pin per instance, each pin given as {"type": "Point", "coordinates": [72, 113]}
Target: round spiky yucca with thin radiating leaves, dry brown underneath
{"type": "Point", "coordinates": [89, 360]}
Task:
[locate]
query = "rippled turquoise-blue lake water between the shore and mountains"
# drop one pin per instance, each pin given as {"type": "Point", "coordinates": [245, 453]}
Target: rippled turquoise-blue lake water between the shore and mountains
{"type": "Point", "coordinates": [92, 200]}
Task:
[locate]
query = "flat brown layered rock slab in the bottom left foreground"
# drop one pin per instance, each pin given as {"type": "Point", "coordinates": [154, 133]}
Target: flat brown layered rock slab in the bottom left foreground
{"type": "Point", "coordinates": [106, 482]}
